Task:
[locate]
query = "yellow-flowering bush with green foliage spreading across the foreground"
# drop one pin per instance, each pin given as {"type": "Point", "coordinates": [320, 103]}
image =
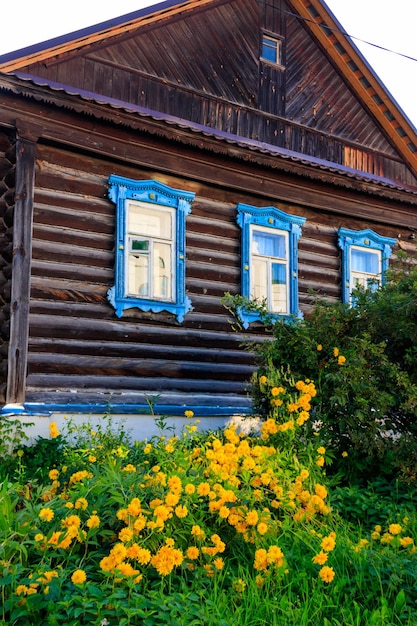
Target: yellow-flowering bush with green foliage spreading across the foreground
{"type": "Point", "coordinates": [140, 534]}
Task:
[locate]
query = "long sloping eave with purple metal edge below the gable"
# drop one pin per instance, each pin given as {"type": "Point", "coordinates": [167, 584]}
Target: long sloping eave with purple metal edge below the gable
{"type": "Point", "coordinates": [191, 133]}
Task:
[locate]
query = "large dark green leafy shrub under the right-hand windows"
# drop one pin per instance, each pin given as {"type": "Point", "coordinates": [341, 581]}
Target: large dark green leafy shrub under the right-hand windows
{"type": "Point", "coordinates": [362, 359]}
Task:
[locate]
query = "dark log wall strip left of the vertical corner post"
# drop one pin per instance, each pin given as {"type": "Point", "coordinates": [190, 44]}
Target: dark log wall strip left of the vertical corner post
{"type": "Point", "coordinates": [7, 184]}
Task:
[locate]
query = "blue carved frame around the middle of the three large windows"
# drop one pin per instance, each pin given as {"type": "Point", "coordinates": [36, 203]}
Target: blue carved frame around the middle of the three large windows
{"type": "Point", "coordinates": [275, 219]}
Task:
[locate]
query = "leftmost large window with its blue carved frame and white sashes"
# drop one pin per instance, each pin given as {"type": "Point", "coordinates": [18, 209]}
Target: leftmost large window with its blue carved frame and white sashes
{"type": "Point", "coordinates": [150, 246]}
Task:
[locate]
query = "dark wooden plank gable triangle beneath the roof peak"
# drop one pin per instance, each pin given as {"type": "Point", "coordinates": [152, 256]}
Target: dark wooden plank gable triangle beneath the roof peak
{"type": "Point", "coordinates": [204, 66]}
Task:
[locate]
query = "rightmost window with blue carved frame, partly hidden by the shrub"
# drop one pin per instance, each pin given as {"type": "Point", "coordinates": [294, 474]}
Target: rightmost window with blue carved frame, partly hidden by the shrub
{"type": "Point", "coordinates": [365, 257]}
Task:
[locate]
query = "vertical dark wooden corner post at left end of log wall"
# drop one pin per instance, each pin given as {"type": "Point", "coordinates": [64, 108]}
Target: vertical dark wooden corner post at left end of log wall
{"type": "Point", "coordinates": [21, 267]}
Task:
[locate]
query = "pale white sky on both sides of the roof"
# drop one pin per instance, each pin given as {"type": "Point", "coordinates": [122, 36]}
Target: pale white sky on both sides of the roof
{"type": "Point", "coordinates": [379, 22]}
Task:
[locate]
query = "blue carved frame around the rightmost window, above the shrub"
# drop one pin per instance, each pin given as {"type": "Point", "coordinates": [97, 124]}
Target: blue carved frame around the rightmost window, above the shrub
{"type": "Point", "coordinates": [369, 240]}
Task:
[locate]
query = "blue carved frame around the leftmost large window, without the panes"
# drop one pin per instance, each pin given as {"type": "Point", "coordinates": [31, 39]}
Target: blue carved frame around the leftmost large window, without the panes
{"type": "Point", "coordinates": [121, 191]}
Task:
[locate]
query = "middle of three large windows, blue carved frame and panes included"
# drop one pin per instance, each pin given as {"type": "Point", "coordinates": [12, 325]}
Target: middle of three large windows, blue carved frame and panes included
{"type": "Point", "coordinates": [269, 259]}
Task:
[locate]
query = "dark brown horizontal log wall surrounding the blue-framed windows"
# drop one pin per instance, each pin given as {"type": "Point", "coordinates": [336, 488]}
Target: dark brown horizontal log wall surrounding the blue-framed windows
{"type": "Point", "coordinates": [80, 351]}
